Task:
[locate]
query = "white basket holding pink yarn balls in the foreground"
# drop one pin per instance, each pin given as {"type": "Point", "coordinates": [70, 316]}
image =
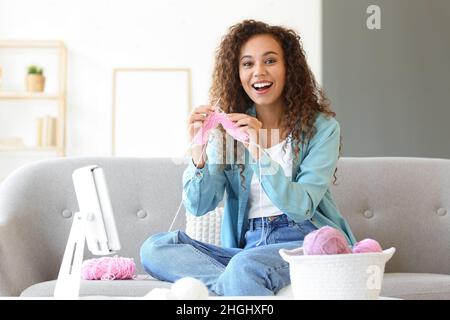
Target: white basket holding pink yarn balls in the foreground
{"type": "Point", "coordinates": [354, 276]}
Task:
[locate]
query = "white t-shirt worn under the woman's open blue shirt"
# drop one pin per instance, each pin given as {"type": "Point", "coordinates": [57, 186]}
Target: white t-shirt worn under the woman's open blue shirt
{"type": "Point", "coordinates": [266, 208]}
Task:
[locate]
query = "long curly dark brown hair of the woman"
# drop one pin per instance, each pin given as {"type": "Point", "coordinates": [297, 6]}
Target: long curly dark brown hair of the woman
{"type": "Point", "coordinates": [303, 97]}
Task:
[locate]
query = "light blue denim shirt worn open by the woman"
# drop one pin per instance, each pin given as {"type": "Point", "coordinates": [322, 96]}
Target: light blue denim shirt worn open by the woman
{"type": "Point", "coordinates": [304, 196]}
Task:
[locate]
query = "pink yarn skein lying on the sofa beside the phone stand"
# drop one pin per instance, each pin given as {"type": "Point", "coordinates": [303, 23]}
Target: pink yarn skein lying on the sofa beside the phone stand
{"type": "Point", "coordinates": [108, 268]}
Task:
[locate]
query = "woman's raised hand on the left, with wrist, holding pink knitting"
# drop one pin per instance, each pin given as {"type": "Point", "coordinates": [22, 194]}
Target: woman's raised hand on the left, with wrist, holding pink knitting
{"type": "Point", "coordinates": [194, 122]}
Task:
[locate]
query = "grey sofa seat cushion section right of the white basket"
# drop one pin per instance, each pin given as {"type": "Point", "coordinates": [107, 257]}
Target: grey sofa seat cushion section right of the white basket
{"type": "Point", "coordinates": [416, 286]}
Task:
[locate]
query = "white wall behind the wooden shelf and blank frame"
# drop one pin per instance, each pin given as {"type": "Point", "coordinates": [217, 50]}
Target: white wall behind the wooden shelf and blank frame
{"type": "Point", "coordinates": [106, 34]}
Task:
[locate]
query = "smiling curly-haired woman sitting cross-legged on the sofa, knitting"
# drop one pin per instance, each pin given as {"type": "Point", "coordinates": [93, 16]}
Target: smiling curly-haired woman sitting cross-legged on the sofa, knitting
{"type": "Point", "coordinates": [280, 191]}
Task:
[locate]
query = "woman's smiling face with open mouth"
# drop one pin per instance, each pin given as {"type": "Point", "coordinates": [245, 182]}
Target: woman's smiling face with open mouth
{"type": "Point", "coordinates": [261, 70]}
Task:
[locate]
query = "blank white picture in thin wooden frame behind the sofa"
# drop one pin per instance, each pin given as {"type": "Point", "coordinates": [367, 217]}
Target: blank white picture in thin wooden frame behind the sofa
{"type": "Point", "coordinates": [150, 107]}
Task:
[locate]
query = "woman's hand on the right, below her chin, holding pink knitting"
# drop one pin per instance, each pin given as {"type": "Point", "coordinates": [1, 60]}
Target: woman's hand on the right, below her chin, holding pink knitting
{"type": "Point", "coordinates": [251, 126]}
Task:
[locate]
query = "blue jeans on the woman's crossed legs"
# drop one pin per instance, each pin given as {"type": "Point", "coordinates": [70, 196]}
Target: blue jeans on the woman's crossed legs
{"type": "Point", "coordinates": [255, 270]}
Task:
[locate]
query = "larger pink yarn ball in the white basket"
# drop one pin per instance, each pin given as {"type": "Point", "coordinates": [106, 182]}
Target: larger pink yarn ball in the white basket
{"type": "Point", "coordinates": [326, 240]}
